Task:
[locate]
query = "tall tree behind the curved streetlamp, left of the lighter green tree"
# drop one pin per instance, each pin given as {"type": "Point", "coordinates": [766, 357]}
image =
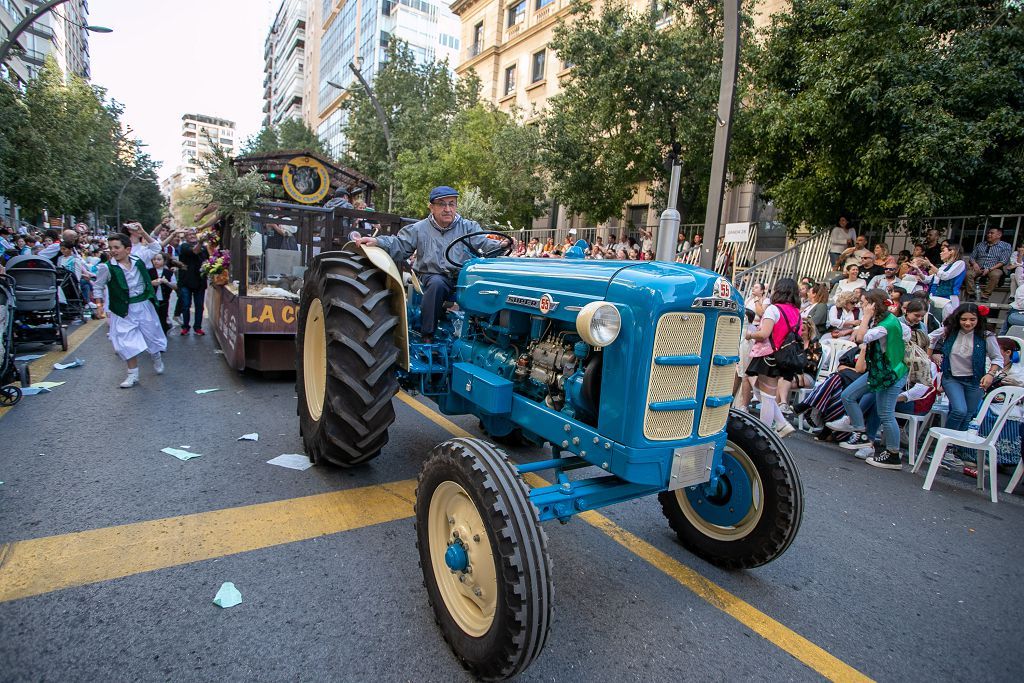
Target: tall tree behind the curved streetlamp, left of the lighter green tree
{"type": "Point", "coordinates": [420, 102]}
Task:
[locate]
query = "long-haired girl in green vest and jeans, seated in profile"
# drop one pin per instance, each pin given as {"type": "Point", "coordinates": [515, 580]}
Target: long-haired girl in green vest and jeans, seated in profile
{"type": "Point", "coordinates": [883, 345]}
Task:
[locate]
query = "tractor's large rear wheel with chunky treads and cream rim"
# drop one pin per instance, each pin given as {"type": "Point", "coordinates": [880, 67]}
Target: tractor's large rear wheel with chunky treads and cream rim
{"type": "Point", "coordinates": [347, 357]}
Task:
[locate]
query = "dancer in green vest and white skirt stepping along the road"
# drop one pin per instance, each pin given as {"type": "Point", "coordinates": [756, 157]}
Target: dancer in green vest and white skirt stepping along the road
{"type": "Point", "coordinates": [135, 325]}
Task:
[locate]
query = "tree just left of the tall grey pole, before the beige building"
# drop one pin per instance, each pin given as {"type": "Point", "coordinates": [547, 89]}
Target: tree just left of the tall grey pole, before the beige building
{"type": "Point", "coordinates": [639, 82]}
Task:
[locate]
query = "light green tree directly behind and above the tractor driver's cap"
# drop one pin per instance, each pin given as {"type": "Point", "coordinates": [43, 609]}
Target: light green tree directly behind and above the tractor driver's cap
{"type": "Point", "coordinates": [484, 149]}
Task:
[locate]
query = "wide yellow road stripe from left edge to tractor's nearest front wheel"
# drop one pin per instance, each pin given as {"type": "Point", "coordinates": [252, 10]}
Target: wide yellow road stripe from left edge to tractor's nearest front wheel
{"type": "Point", "coordinates": [42, 566]}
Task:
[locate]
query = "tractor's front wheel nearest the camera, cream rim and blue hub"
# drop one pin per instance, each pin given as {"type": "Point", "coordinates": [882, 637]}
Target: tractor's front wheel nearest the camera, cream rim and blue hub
{"type": "Point", "coordinates": [485, 559]}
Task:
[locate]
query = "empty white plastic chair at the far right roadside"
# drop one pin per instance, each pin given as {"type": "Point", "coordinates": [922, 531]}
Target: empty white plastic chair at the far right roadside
{"type": "Point", "coordinates": [985, 446]}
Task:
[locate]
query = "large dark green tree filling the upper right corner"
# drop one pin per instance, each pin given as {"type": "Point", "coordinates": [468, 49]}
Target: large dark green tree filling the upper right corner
{"type": "Point", "coordinates": [882, 108]}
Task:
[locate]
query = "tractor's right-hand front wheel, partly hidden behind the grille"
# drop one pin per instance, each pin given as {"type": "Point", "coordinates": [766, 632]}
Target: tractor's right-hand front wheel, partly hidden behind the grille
{"type": "Point", "coordinates": [754, 515]}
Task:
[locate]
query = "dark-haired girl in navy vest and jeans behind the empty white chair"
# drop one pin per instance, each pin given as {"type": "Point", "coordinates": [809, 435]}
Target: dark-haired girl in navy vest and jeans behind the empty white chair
{"type": "Point", "coordinates": [960, 348]}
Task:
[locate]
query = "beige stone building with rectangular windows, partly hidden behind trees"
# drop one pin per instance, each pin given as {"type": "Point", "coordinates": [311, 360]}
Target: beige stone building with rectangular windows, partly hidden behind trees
{"type": "Point", "coordinates": [506, 44]}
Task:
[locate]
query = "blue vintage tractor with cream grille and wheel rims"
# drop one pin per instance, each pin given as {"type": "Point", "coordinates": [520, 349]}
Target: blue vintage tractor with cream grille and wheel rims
{"type": "Point", "coordinates": [626, 369]}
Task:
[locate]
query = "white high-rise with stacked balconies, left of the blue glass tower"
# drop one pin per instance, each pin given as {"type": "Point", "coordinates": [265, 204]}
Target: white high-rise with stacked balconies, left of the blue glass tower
{"type": "Point", "coordinates": [285, 54]}
